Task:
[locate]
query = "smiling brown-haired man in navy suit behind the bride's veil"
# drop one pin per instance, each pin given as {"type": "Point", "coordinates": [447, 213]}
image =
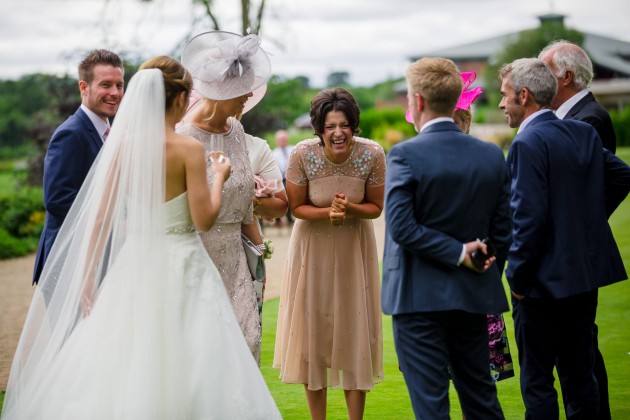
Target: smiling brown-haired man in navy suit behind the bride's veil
{"type": "Point", "coordinates": [76, 142]}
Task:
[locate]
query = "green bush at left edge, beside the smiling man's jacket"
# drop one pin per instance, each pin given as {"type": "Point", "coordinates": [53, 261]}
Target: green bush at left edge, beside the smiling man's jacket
{"type": "Point", "coordinates": [22, 217]}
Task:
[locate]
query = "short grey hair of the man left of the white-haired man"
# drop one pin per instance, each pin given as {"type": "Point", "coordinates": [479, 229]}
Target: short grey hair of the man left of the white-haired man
{"type": "Point", "coordinates": [534, 75]}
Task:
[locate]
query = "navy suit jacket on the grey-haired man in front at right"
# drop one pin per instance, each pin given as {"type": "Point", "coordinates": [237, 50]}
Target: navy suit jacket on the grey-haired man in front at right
{"type": "Point", "coordinates": [562, 243]}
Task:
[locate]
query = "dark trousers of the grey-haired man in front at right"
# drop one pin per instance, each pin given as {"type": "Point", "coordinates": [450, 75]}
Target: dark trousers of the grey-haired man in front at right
{"type": "Point", "coordinates": [557, 332]}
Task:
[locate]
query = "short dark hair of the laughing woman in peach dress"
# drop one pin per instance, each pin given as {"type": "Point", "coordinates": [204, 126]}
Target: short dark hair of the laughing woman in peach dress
{"type": "Point", "coordinates": [336, 99]}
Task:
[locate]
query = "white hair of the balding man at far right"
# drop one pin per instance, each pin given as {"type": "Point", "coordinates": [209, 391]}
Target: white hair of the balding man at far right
{"type": "Point", "coordinates": [568, 56]}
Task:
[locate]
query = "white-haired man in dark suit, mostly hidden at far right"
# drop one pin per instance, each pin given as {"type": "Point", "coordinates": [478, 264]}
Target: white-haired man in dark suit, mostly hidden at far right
{"type": "Point", "coordinates": [574, 71]}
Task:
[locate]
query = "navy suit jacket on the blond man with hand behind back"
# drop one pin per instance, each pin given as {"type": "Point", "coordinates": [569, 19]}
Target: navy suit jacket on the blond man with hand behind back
{"type": "Point", "coordinates": [443, 188]}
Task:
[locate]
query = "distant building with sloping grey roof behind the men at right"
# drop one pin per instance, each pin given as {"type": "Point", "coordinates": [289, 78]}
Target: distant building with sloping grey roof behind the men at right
{"type": "Point", "coordinates": [610, 57]}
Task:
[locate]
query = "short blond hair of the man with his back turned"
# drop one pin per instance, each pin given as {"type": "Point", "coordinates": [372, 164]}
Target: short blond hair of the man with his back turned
{"type": "Point", "coordinates": [438, 81]}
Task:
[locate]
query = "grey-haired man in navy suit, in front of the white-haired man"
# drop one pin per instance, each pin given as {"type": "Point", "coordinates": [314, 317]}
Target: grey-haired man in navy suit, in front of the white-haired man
{"type": "Point", "coordinates": [563, 249]}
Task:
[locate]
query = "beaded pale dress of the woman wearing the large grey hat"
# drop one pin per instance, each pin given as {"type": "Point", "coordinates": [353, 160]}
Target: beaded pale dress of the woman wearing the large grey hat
{"type": "Point", "coordinates": [223, 241]}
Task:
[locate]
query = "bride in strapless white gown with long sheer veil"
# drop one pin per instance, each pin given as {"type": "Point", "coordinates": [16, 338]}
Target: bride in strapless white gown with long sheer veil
{"type": "Point", "coordinates": [131, 319]}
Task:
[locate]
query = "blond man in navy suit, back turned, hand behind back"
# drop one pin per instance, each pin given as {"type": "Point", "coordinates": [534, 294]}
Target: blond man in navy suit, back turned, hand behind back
{"type": "Point", "coordinates": [444, 189]}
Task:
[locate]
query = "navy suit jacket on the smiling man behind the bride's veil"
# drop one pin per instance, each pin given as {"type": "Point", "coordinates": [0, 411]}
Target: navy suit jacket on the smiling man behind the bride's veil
{"type": "Point", "coordinates": [71, 151]}
